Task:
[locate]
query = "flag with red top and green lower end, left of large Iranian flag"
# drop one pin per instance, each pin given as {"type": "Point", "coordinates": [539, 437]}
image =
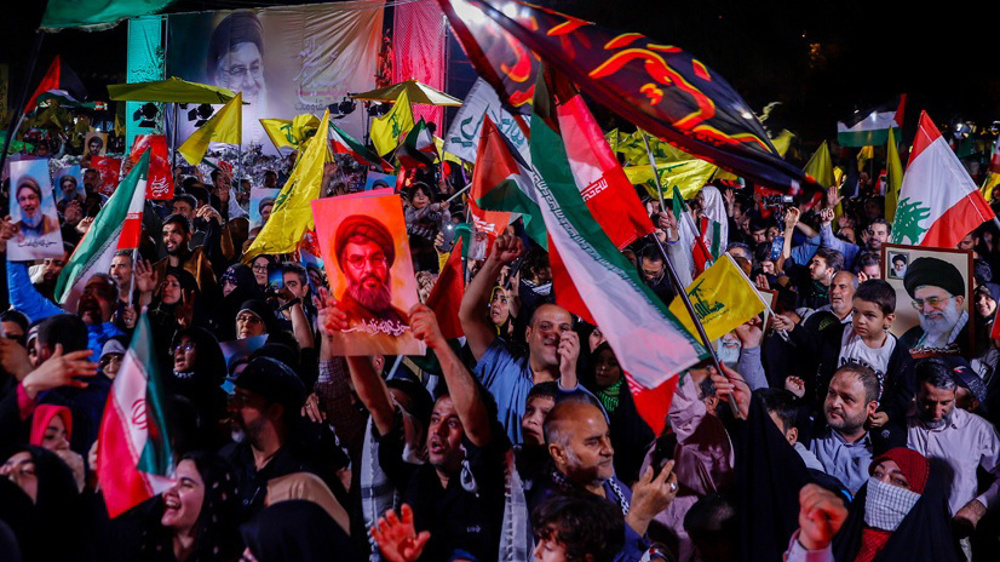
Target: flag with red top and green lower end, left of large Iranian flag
{"type": "Point", "coordinates": [504, 180]}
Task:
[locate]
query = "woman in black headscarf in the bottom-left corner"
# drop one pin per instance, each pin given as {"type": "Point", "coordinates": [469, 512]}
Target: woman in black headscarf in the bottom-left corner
{"type": "Point", "coordinates": [57, 507]}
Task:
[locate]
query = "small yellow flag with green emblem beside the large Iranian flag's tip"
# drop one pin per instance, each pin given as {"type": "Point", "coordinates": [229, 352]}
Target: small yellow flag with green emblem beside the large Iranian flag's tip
{"type": "Point", "coordinates": [723, 298]}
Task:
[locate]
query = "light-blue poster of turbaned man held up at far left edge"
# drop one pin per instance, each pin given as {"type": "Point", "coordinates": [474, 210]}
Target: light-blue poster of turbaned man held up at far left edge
{"type": "Point", "coordinates": [33, 213]}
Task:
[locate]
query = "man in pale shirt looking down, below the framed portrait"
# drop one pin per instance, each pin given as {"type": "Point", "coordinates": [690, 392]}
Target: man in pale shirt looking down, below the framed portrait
{"type": "Point", "coordinates": [965, 441]}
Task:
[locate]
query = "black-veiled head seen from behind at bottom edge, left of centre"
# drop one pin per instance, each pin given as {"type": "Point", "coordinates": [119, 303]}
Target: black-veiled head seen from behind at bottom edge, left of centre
{"type": "Point", "coordinates": [296, 531]}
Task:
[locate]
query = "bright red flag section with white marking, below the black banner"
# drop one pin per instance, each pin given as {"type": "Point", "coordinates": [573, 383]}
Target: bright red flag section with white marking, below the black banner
{"type": "Point", "coordinates": [603, 184]}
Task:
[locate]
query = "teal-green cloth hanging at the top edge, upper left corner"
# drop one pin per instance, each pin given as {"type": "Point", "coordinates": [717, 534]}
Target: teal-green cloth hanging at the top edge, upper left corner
{"type": "Point", "coordinates": [96, 14]}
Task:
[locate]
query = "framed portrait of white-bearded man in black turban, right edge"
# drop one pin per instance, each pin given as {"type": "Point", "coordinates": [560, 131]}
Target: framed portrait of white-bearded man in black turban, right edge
{"type": "Point", "coordinates": [933, 305]}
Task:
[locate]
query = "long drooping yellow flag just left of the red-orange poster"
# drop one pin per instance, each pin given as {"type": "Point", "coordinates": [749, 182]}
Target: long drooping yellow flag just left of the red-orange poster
{"type": "Point", "coordinates": [292, 213]}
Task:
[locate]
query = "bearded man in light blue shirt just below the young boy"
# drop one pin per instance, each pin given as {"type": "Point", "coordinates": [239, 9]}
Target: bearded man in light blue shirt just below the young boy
{"type": "Point", "coordinates": [844, 447]}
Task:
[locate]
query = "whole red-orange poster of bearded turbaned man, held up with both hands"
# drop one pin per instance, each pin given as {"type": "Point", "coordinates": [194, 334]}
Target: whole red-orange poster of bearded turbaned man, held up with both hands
{"type": "Point", "coordinates": [367, 254]}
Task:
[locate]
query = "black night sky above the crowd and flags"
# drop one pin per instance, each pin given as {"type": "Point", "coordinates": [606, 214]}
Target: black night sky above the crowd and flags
{"type": "Point", "coordinates": [866, 52]}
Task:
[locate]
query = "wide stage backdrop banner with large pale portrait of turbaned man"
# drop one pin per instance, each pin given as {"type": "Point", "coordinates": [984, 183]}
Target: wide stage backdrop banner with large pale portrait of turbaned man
{"type": "Point", "coordinates": [285, 60]}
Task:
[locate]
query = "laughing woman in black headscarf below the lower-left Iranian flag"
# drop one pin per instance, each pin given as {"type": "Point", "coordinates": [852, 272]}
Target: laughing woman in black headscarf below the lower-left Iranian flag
{"type": "Point", "coordinates": [194, 521]}
